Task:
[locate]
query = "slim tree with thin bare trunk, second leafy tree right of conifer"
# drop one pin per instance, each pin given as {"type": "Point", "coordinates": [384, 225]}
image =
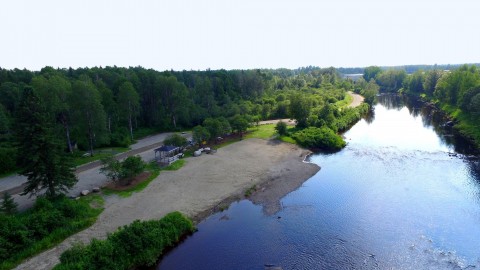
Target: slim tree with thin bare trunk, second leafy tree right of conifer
{"type": "Point", "coordinates": [128, 104]}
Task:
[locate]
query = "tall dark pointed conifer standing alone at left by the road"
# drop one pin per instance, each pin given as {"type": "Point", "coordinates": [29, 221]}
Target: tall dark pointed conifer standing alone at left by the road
{"type": "Point", "coordinates": [40, 156]}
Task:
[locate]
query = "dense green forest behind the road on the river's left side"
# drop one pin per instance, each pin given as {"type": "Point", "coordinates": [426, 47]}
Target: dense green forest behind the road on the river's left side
{"type": "Point", "coordinates": [87, 108]}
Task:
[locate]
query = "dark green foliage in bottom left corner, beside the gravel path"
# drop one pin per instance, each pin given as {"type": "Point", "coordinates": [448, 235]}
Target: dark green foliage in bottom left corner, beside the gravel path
{"type": "Point", "coordinates": [49, 222]}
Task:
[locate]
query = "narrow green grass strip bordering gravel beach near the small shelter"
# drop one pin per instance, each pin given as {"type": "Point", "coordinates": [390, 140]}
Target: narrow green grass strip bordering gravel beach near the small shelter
{"type": "Point", "coordinates": [152, 167]}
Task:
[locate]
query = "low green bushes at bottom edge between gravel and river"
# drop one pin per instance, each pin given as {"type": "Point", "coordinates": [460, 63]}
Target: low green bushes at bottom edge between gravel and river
{"type": "Point", "coordinates": [138, 244]}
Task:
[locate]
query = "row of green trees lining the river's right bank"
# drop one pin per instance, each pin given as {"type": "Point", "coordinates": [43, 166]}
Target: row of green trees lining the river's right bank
{"type": "Point", "coordinates": [454, 89]}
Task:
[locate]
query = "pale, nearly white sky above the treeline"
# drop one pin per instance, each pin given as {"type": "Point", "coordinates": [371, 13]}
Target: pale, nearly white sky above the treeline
{"type": "Point", "coordinates": [198, 34]}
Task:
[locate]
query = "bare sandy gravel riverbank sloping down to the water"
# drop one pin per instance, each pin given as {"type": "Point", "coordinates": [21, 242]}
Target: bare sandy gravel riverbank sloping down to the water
{"type": "Point", "coordinates": [205, 184]}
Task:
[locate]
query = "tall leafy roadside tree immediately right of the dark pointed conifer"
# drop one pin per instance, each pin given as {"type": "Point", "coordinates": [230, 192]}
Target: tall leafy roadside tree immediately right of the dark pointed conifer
{"type": "Point", "coordinates": [88, 113]}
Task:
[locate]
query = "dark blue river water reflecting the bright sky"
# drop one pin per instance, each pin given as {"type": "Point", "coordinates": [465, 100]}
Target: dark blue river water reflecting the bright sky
{"type": "Point", "coordinates": [397, 197]}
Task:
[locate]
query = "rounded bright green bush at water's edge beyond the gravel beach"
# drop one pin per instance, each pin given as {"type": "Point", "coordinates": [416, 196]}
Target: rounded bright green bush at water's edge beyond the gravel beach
{"type": "Point", "coordinates": [321, 138]}
